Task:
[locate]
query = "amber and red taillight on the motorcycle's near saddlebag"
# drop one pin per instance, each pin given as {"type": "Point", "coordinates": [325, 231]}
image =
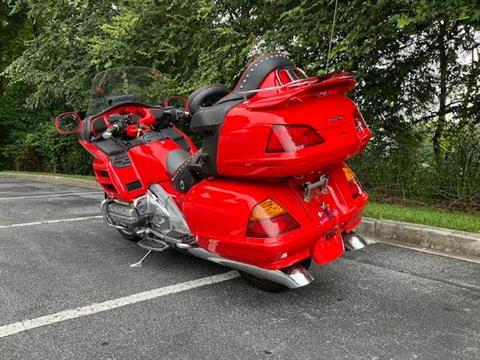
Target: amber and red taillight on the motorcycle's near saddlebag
{"type": "Point", "coordinates": [269, 219]}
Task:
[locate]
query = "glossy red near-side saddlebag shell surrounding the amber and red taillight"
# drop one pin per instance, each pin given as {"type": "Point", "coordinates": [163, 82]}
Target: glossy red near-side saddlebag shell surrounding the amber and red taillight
{"type": "Point", "coordinates": [218, 210]}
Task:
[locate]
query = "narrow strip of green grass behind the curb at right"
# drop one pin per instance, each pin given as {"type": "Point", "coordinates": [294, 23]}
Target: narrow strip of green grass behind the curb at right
{"type": "Point", "coordinates": [426, 216]}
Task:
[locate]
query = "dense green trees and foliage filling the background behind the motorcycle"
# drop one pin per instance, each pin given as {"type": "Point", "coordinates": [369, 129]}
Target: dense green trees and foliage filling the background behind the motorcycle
{"type": "Point", "coordinates": [417, 65]}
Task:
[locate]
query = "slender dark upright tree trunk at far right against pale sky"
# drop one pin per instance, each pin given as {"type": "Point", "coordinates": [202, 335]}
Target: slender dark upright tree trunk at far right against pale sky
{"type": "Point", "coordinates": [442, 97]}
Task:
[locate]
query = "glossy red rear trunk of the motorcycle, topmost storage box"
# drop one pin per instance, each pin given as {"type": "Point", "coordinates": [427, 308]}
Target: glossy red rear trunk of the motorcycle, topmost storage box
{"type": "Point", "coordinates": [252, 127]}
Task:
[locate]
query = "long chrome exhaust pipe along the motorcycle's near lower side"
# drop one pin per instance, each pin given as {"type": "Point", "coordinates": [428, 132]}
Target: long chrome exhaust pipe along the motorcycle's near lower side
{"type": "Point", "coordinates": [292, 277]}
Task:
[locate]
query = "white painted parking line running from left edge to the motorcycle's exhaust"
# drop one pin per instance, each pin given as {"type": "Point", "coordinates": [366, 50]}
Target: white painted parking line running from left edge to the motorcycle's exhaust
{"type": "Point", "coordinates": [22, 326]}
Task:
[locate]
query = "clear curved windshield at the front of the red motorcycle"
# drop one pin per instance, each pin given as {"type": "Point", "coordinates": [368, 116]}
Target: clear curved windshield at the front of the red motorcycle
{"type": "Point", "coordinates": [126, 85]}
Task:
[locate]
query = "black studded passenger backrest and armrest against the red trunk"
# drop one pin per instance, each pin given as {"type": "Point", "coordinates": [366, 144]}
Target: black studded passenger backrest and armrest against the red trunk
{"type": "Point", "coordinates": [210, 104]}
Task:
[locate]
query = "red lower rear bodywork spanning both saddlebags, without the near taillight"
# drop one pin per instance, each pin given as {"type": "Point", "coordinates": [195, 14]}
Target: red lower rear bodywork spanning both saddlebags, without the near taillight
{"type": "Point", "coordinates": [218, 210]}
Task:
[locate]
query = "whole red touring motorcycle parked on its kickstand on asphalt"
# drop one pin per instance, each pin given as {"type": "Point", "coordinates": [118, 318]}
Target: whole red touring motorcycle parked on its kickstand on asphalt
{"type": "Point", "coordinates": [267, 192]}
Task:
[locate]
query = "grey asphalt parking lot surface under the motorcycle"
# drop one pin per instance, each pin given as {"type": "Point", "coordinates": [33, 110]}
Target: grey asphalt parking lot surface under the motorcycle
{"type": "Point", "coordinates": [56, 254]}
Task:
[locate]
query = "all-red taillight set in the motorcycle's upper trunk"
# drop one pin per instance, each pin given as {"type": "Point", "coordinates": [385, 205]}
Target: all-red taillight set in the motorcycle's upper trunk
{"type": "Point", "coordinates": [285, 138]}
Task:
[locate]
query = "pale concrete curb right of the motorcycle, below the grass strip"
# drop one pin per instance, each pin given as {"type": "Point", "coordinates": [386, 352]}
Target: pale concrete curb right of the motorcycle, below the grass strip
{"type": "Point", "coordinates": [444, 241]}
